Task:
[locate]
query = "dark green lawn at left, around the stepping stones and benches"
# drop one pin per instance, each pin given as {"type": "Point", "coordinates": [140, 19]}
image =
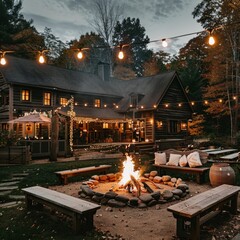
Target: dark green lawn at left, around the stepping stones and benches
{"type": "Point", "coordinates": [18, 223]}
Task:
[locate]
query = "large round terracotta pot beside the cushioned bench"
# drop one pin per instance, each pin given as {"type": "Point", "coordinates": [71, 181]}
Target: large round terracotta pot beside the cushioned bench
{"type": "Point", "coordinates": [221, 173]}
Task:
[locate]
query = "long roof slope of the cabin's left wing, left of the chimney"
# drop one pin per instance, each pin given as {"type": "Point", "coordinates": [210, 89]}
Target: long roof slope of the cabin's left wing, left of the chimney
{"type": "Point", "coordinates": [28, 72]}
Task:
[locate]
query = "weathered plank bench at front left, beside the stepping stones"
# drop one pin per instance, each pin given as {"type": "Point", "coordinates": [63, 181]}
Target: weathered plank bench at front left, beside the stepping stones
{"type": "Point", "coordinates": [79, 210]}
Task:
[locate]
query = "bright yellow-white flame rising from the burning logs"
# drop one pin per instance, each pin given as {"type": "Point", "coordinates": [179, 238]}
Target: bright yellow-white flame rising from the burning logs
{"type": "Point", "coordinates": [128, 170]}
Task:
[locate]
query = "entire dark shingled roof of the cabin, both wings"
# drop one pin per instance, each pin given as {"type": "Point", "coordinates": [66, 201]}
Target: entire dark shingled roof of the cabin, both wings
{"type": "Point", "coordinates": [27, 72]}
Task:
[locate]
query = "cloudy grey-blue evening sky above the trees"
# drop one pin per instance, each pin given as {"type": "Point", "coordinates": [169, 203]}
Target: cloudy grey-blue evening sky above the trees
{"type": "Point", "coordinates": [69, 19]}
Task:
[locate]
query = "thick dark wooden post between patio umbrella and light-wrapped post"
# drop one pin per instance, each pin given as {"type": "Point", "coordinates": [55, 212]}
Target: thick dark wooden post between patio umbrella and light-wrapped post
{"type": "Point", "coordinates": [54, 137]}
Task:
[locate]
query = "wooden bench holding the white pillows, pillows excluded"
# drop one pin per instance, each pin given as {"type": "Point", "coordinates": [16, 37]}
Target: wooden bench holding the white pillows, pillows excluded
{"type": "Point", "coordinates": [199, 172]}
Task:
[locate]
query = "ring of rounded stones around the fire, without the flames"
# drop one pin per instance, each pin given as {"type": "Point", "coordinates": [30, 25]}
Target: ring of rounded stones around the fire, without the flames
{"type": "Point", "coordinates": [113, 199]}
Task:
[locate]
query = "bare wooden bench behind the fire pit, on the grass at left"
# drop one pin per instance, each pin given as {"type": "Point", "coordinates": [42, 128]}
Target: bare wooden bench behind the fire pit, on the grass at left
{"type": "Point", "coordinates": [64, 175]}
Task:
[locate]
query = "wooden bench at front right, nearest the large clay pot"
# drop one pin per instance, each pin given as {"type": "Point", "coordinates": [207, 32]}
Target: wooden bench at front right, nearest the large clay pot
{"type": "Point", "coordinates": [193, 212]}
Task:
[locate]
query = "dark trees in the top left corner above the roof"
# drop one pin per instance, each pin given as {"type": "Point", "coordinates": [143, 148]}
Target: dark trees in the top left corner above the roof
{"type": "Point", "coordinates": [16, 33]}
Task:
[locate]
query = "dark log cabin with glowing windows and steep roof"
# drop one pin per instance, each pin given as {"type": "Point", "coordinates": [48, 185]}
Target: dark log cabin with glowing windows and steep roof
{"type": "Point", "coordinates": [106, 109]}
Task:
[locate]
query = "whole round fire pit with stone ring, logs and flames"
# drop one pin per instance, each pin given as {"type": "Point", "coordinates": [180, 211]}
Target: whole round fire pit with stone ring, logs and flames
{"type": "Point", "coordinates": [131, 188]}
